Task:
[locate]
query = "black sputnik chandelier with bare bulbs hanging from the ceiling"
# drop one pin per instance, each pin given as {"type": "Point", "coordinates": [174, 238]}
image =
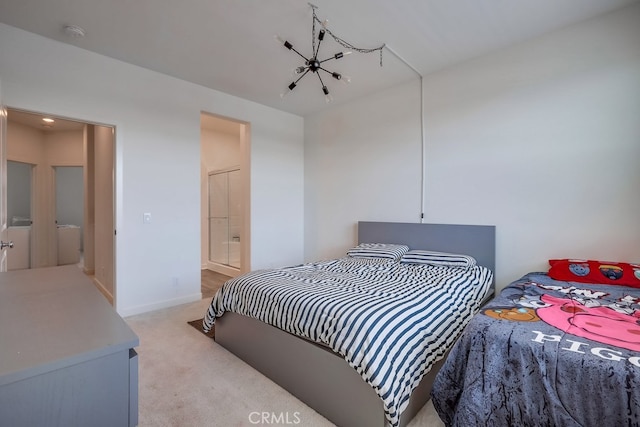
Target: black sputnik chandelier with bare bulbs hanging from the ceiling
{"type": "Point", "coordinates": [314, 64]}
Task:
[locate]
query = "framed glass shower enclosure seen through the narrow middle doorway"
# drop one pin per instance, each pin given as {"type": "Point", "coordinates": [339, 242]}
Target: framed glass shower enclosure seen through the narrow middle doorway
{"type": "Point", "coordinates": [224, 217]}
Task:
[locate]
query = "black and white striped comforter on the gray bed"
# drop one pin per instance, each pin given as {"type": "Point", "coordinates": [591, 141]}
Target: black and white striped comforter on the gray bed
{"type": "Point", "coordinates": [390, 321]}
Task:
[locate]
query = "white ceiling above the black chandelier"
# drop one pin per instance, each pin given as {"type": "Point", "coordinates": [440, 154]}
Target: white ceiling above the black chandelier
{"type": "Point", "coordinates": [229, 45]}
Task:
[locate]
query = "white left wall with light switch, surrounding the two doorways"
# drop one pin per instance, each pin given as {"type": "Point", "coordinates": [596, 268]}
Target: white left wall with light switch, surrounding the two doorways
{"type": "Point", "coordinates": [157, 120]}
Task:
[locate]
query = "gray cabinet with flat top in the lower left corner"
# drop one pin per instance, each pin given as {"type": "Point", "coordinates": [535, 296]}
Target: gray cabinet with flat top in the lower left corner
{"type": "Point", "coordinates": [66, 357]}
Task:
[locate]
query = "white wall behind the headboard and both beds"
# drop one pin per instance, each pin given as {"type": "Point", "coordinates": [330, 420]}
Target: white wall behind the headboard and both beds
{"type": "Point", "coordinates": [542, 140]}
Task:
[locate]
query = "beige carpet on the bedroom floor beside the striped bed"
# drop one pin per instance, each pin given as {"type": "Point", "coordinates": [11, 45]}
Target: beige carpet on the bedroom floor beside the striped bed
{"type": "Point", "coordinates": [186, 379]}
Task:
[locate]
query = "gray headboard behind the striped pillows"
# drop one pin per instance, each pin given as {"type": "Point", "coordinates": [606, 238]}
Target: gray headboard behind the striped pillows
{"type": "Point", "coordinates": [479, 241]}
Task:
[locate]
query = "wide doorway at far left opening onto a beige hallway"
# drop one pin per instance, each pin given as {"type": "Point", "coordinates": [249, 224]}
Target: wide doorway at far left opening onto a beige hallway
{"type": "Point", "coordinates": [71, 202]}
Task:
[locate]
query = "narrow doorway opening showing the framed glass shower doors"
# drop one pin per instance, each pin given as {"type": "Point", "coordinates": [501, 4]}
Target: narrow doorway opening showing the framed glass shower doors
{"type": "Point", "coordinates": [225, 195]}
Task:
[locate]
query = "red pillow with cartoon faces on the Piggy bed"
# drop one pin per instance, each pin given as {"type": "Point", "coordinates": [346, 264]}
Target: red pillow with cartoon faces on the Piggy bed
{"type": "Point", "coordinates": [610, 273]}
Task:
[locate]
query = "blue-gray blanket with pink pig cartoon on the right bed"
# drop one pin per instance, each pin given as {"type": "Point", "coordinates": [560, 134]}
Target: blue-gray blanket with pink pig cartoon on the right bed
{"type": "Point", "coordinates": [546, 353]}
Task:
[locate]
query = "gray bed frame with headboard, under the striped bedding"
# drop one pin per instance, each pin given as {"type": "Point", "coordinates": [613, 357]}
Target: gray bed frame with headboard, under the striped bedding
{"type": "Point", "coordinates": [315, 374]}
